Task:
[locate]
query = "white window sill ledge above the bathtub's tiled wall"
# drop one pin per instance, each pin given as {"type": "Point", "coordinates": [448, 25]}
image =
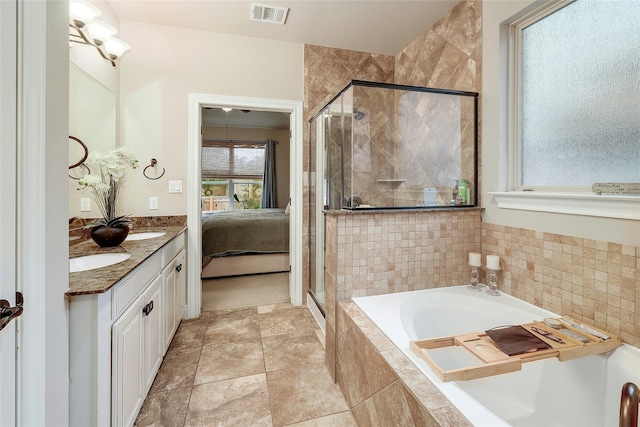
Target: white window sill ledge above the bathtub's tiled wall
{"type": "Point", "coordinates": [605, 205]}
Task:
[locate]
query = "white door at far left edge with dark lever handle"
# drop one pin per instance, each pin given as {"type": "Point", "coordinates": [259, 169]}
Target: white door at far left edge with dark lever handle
{"type": "Point", "coordinates": [8, 207]}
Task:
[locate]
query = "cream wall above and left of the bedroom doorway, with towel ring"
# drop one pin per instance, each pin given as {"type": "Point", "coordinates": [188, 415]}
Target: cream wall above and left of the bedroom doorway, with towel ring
{"type": "Point", "coordinates": [164, 65]}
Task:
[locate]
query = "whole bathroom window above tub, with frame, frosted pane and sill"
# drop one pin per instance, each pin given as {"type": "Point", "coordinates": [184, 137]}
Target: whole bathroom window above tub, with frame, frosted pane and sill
{"type": "Point", "coordinates": [571, 108]}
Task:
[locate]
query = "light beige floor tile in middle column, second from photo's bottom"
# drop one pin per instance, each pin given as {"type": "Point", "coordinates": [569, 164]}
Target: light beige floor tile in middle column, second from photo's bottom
{"type": "Point", "coordinates": [229, 360]}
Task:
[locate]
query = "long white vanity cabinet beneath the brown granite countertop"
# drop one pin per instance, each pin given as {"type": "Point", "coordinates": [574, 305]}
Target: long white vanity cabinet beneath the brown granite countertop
{"type": "Point", "coordinates": [118, 338]}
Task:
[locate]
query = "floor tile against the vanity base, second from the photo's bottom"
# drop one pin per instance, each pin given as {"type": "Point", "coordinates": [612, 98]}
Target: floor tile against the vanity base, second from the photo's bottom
{"type": "Point", "coordinates": [178, 370]}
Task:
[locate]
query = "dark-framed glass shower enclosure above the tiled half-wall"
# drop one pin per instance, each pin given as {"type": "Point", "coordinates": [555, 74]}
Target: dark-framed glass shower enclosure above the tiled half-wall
{"type": "Point", "coordinates": [378, 147]}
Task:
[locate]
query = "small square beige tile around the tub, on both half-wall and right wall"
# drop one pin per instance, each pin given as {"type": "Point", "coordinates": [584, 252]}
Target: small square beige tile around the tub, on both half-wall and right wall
{"type": "Point", "coordinates": [593, 281]}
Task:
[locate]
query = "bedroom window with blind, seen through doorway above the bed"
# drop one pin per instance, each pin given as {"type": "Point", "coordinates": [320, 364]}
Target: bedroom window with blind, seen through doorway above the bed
{"type": "Point", "coordinates": [232, 176]}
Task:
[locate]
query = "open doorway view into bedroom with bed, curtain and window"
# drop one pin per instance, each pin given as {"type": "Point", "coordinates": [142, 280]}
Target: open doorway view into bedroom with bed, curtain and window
{"type": "Point", "coordinates": [245, 161]}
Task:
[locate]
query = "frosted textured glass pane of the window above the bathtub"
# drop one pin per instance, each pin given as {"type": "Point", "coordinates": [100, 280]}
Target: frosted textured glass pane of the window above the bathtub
{"type": "Point", "coordinates": [580, 95]}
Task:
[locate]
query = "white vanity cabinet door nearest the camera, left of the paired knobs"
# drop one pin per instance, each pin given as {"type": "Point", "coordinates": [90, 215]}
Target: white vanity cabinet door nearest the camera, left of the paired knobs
{"type": "Point", "coordinates": [128, 347]}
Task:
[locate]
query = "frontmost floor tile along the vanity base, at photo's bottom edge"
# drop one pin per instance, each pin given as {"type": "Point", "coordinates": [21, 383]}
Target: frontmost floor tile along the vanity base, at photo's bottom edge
{"type": "Point", "coordinates": [165, 408]}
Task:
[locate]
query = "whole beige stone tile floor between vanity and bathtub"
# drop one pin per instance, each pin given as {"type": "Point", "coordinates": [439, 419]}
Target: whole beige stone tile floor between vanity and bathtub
{"type": "Point", "coordinates": [257, 366]}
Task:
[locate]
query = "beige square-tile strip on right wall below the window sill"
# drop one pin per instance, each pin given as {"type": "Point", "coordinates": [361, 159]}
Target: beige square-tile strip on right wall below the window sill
{"type": "Point", "coordinates": [593, 281]}
